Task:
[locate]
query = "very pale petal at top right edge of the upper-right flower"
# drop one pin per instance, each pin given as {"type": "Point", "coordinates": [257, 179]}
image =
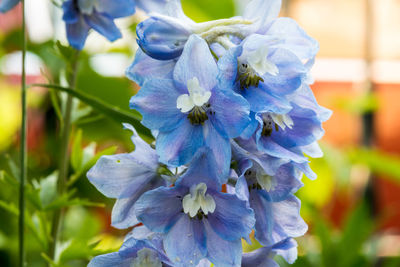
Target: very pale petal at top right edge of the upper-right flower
{"type": "Point", "coordinates": [293, 38]}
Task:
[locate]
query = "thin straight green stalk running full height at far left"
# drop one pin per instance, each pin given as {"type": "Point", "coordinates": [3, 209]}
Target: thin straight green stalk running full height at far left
{"type": "Point", "coordinates": [24, 160]}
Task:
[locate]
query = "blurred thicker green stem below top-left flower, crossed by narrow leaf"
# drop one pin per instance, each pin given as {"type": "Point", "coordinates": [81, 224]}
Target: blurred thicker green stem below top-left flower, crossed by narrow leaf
{"type": "Point", "coordinates": [64, 156]}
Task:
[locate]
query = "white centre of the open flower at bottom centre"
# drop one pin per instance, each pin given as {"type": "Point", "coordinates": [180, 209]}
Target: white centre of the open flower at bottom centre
{"type": "Point", "coordinates": [197, 199]}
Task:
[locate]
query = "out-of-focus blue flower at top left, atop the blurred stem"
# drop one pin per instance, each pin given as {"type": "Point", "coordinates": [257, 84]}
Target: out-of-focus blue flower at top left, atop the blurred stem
{"type": "Point", "coordinates": [82, 15]}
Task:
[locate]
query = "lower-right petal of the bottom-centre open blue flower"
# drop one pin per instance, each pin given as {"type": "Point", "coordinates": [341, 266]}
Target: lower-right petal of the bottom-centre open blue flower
{"type": "Point", "coordinates": [221, 252]}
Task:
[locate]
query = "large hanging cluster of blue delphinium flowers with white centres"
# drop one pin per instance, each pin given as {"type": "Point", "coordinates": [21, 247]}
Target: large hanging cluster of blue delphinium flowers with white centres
{"type": "Point", "coordinates": [234, 120]}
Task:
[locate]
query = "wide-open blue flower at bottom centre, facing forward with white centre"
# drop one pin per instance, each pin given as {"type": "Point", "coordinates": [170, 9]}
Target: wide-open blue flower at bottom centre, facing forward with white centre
{"type": "Point", "coordinates": [196, 219]}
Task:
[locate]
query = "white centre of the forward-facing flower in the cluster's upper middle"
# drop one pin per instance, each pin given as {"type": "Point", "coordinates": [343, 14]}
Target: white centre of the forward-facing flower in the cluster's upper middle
{"type": "Point", "coordinates": [197, 97]}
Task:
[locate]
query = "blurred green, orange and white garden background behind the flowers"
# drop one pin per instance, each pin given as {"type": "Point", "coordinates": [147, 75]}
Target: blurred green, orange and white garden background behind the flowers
{"type": "Point", "coordinates": [353, 208]}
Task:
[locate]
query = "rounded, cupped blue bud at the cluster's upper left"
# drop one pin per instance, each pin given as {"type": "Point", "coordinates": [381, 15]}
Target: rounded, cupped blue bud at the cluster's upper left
{"type": "Point", "coordinates": [162, 37]}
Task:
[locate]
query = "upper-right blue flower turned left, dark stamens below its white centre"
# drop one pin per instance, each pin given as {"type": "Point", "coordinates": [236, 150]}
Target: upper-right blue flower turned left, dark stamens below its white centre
{"type": "Point", "coordinates": [263, 73]}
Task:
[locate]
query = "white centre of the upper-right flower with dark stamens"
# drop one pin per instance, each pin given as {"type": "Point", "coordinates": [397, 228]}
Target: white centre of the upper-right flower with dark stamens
{"type": "Point", "coordinates": [258, 60]}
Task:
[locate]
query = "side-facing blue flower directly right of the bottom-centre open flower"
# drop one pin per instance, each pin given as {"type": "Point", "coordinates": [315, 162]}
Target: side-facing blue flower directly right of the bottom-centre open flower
{"type": "Point", "coordinates": [269, 188]}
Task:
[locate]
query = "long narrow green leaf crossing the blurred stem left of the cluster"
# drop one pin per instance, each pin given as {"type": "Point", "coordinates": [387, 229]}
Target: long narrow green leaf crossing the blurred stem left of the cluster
{"type": "Point", "coordinates": [132, 117]}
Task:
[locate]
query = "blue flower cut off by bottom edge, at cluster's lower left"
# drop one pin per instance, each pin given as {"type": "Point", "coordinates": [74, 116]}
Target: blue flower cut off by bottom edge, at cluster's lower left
{"type": "Point", "coordinates": [135, 252]}
